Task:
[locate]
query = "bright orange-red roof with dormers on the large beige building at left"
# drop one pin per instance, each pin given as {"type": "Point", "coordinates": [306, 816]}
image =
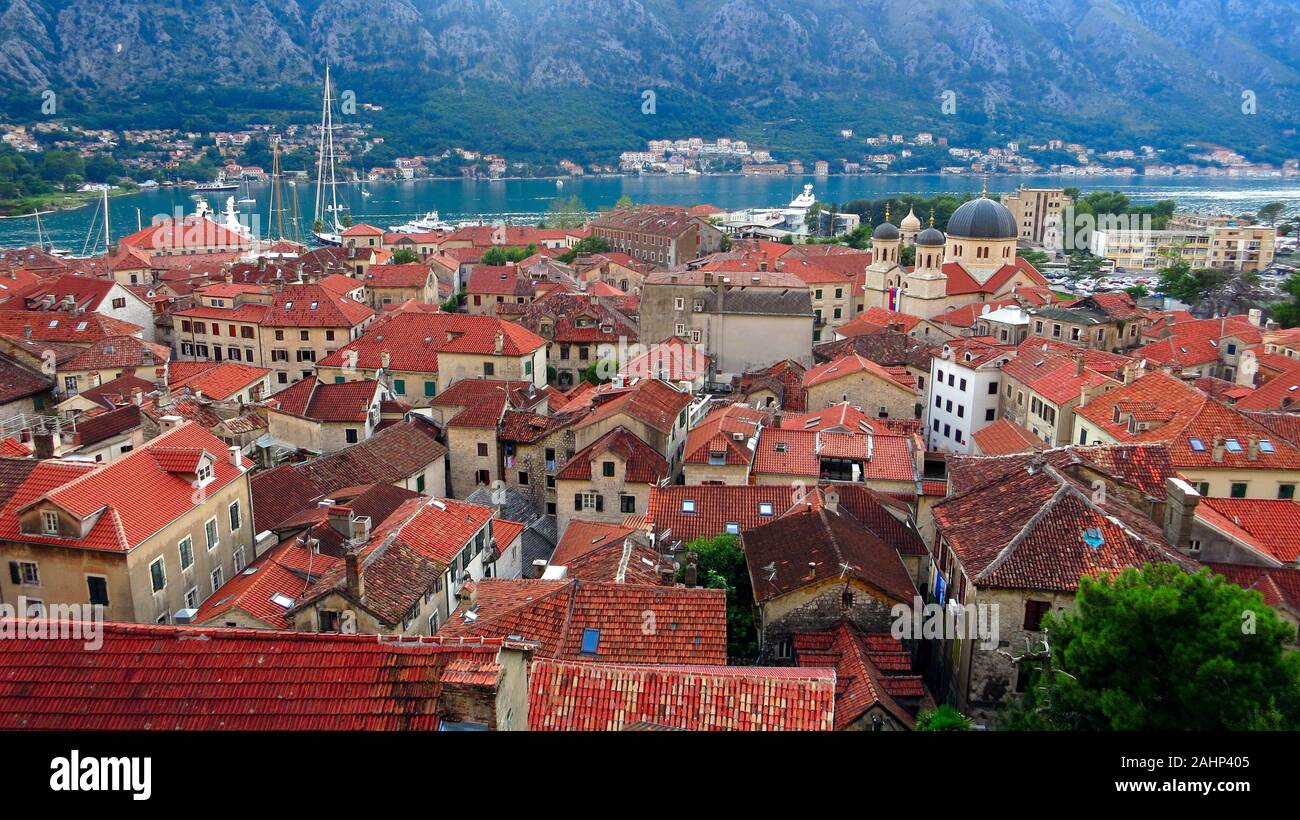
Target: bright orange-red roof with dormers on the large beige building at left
{"type": "Point", "coordinates": [161, 484]}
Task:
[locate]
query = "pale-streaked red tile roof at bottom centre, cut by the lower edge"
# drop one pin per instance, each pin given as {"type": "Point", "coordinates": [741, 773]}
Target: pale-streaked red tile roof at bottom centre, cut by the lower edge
{"type": "Point", "coordinates": [596, 697]}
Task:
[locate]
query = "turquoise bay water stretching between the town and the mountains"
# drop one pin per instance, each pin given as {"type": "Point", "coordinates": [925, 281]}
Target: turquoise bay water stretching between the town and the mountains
{"type": "Point", "coordinates": [519, 201]}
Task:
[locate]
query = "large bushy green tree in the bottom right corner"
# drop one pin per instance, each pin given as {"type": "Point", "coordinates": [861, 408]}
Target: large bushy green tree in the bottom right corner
{"type": "Point", "coordinates": [1162, 649]}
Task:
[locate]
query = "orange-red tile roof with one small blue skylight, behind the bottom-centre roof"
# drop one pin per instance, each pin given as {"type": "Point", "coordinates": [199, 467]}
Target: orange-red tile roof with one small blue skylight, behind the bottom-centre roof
{"type": "Point", "coordinates": [690, 623]}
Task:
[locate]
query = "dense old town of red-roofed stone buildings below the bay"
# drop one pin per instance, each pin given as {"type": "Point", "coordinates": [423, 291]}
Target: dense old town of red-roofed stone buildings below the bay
{"type": "Point", "coordinates": [513, 468]}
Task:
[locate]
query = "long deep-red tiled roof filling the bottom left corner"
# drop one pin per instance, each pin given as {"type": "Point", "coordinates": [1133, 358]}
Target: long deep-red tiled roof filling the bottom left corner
{"type": "Point", "coordinates": [196, 679]}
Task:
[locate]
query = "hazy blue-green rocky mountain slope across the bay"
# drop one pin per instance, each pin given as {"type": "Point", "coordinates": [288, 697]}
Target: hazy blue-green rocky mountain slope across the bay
{"type": "Point", "coordinates": [539, 77]}
